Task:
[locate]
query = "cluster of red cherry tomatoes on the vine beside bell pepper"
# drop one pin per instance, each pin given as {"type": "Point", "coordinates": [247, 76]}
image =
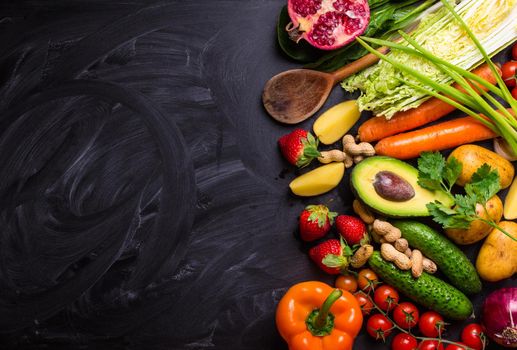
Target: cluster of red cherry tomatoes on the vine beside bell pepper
{"type": "Point", "coordinates": [372, 296]}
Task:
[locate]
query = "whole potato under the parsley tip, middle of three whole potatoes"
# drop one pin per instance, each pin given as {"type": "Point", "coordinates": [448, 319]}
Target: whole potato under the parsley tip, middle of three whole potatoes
{"type": "Point", "coordinates": [478, 229]}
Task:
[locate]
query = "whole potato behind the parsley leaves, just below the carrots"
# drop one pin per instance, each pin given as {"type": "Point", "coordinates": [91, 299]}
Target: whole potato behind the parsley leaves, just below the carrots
{"type": "Point", "coordinates": [472, 157]}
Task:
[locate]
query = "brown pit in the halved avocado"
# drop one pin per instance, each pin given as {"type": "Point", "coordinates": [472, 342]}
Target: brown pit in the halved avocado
{"type": "Point", "coordinates": [392, 187]}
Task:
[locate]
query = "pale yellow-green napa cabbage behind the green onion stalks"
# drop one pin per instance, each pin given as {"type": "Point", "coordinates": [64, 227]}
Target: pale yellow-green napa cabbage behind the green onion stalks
{"type": "Point", "coordinates": [383, 89]}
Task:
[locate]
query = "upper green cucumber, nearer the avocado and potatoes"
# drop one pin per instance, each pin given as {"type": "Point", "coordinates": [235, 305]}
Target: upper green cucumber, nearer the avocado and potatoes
{"type": "Point", "coordinates": [450, 259]}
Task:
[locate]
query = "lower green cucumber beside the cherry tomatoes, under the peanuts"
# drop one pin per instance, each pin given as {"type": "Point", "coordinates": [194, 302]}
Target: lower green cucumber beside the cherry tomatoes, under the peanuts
{"type": "Point", "coordinates": [426, 290]}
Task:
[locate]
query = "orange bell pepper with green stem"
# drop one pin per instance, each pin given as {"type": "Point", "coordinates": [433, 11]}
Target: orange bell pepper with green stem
{"type": "Point", "coordinates": [314, 316]}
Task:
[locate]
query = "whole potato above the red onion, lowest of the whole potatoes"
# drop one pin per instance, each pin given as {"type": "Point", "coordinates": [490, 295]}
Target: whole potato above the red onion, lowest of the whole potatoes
{"type": "Point", "coordinates": [497, 258]}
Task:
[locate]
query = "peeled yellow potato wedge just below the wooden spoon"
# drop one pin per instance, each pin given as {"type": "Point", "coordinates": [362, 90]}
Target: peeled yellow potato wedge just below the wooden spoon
{"type": "Point", "coordinates": [336, 121]}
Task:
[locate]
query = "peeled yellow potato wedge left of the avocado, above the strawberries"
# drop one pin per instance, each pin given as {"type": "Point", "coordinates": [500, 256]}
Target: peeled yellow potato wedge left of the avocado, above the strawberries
{"type": "Point", "coordinates": [319, 180]}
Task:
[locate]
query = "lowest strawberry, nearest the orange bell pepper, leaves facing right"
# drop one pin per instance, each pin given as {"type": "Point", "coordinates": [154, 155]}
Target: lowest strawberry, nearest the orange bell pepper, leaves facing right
{"type": "Point", "coordinates": [332, 256]}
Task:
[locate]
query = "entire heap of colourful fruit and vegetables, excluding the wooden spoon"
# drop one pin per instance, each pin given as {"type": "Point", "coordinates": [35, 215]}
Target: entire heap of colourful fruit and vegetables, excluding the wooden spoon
{"type": "Point", "coordinates": [401, 277]}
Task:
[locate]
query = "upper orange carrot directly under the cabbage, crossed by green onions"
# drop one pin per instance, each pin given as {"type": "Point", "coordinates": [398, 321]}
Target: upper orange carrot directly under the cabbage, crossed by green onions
{"type": "Point", "coordinates": [433, 109]}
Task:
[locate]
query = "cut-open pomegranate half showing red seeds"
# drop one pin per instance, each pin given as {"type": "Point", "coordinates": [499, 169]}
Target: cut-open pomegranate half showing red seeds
{"type": "Point", "coordinates": [327, 24]}
